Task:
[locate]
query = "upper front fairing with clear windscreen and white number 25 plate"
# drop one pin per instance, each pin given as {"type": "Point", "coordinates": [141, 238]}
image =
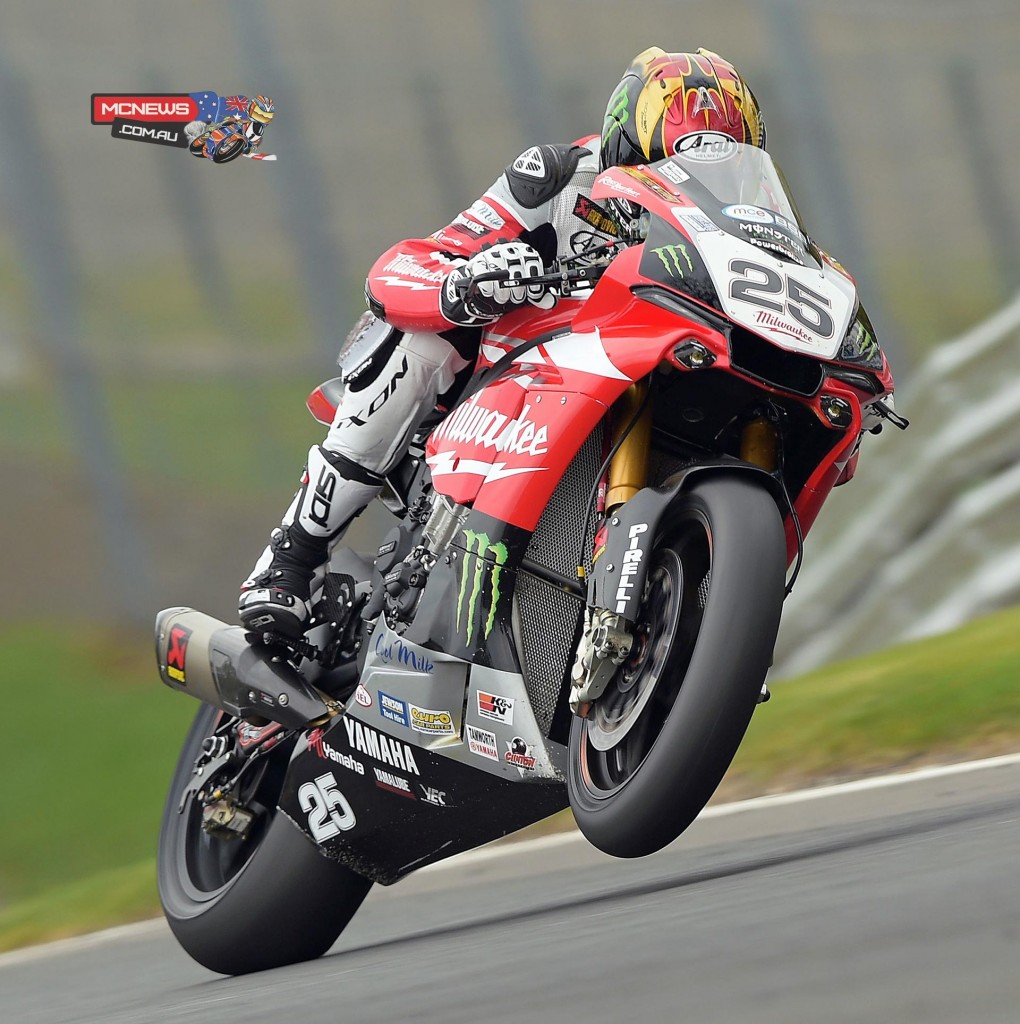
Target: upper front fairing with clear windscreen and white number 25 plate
{"type": "Point", "coordinates": [725, 231]}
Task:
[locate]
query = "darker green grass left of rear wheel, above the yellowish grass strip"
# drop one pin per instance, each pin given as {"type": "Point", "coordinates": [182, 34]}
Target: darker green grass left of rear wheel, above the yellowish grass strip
{"type": "Point", "coordinates": [91, 743]}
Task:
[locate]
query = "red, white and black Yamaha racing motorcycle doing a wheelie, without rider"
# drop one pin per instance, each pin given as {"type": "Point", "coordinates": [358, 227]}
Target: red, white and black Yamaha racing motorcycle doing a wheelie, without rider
{"type": "Point", "coordinates": [579, 600]}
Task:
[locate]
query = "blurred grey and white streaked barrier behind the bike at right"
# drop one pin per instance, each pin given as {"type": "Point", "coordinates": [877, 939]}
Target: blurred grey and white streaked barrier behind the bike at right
{"type": "Point", "coordinates": [928, 534]}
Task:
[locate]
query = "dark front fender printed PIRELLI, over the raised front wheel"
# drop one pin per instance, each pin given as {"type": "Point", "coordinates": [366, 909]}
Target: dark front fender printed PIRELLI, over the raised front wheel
{"type": "Point", "coordinates": [618, 579]}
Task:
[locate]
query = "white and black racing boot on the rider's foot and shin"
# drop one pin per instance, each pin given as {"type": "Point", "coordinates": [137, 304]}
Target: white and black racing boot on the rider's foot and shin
{"type": "Point", "coordinates": [277, 598]}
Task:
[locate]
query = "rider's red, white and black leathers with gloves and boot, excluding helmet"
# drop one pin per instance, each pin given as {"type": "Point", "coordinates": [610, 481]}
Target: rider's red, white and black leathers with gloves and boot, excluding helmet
{"type": "Point", "coordinates": [423, 329]}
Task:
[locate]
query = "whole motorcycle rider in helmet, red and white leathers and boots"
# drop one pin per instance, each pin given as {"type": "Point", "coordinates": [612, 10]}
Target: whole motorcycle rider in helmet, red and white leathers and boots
{"type": "Point", "coordinates": [422, 331]}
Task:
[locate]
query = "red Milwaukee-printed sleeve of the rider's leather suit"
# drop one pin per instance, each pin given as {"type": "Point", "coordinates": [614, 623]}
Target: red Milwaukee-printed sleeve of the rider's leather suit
{"type": "Point", "coordinates": [406, 281]}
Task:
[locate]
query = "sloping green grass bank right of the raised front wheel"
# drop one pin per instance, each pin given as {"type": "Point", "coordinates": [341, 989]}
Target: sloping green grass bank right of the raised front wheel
{"type": "Point", "coordinates": [947, 697]}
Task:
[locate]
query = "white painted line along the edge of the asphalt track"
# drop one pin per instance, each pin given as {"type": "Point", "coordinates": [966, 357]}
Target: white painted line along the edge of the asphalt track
{"type": "Point", "coordinates": [158, 926]}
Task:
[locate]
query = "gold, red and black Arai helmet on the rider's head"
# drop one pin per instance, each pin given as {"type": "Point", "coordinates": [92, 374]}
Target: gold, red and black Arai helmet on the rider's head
{"type": "Point", "coordinates": [665, 97]}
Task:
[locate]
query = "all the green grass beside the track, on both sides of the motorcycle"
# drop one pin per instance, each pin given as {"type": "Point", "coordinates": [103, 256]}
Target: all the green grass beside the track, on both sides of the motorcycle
{"type": "Point", "coordinates": [96, 739]}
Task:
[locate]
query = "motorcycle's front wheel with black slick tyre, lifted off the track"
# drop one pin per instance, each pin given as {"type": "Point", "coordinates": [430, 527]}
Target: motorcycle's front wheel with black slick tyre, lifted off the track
{"type": "Point", "coordinates": [657, 744]}
